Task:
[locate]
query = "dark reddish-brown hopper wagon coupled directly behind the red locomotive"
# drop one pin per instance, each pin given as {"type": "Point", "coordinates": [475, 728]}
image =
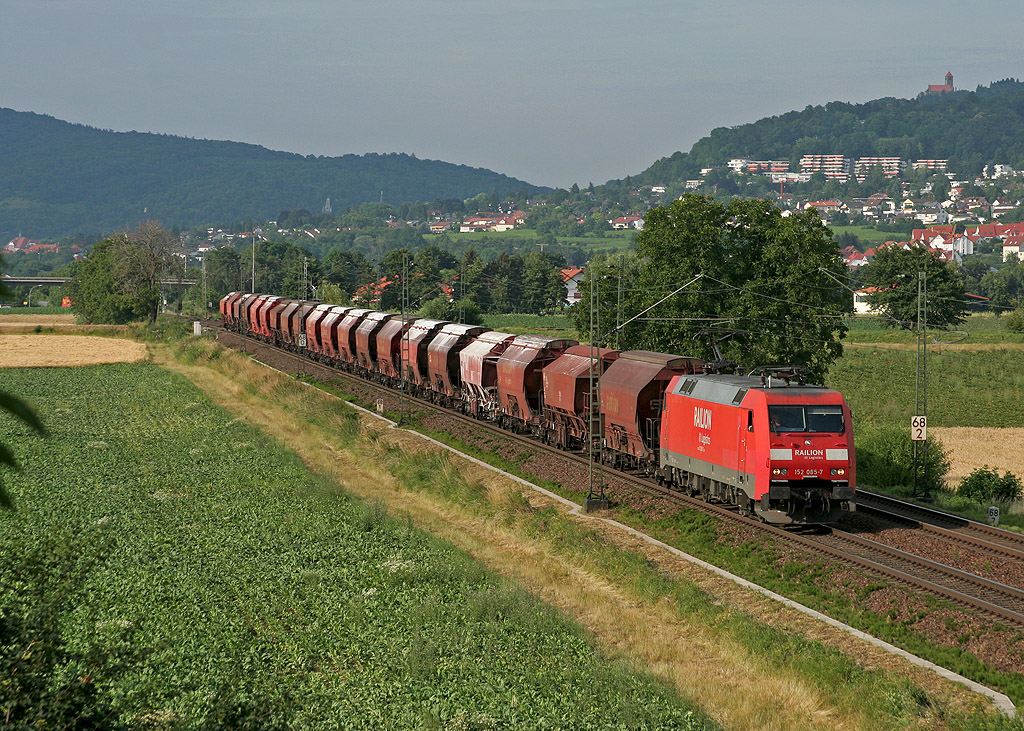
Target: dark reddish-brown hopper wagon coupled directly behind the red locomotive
{"type": "Point", "coordinates": [632, 395]}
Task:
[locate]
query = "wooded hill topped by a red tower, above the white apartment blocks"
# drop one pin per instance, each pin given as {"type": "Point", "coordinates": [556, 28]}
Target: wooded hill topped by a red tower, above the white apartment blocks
{"type": "Point", "coordinates": [970, 130]}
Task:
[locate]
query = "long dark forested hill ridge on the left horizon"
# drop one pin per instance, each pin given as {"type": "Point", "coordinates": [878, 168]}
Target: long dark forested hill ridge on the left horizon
{"type": "Point", "coordinates": [59, 179]}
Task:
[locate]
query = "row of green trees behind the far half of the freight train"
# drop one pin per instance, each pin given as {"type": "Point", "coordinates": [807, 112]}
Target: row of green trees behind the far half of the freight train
{"type": "Point", "coordinates": [120, 281]}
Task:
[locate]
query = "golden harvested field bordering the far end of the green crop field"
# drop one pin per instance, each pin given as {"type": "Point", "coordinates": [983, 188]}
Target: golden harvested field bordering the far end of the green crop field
{"type": "Point", "coordinates": [51, 351]}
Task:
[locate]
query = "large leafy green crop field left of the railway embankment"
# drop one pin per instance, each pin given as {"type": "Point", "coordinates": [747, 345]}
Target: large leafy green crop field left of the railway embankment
{"type": "Point", "coordinates": [160, 575]}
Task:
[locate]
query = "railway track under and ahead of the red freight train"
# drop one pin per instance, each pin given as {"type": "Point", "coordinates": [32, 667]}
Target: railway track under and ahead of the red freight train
{"type": "Point", "coordinates": [999, 603]}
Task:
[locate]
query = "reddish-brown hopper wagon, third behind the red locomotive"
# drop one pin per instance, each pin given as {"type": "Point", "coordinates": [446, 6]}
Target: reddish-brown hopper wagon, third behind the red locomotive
{"type": "Point", "coordinates": [521, 379]}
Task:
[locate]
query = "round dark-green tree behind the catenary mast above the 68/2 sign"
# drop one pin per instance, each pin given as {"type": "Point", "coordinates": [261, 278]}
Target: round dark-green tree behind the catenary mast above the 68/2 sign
{"type": "Point", "coordinates": [895, 273]}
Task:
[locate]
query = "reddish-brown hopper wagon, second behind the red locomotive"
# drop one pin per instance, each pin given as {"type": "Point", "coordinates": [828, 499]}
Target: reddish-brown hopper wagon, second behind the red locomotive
{"type": "Point", "coordinates": [567, 395]}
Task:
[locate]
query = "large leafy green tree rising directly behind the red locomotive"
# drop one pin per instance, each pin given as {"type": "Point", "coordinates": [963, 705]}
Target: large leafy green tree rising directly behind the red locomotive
{"type": "Point", "coordinates": [764, 286]}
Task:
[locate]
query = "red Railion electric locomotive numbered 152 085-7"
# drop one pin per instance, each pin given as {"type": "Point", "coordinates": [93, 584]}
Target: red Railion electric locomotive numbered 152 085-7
{"type": "Point", "coordinates": [782, 453]}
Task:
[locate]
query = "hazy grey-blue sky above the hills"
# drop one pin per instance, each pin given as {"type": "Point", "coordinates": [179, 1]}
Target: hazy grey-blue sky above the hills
{"type": "Point", "coordinates": [552, 93]}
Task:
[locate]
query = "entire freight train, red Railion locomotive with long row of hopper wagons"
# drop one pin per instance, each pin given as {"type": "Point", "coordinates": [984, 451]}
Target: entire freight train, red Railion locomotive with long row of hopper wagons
{"type": "Point", "coordinates": [780, 450]}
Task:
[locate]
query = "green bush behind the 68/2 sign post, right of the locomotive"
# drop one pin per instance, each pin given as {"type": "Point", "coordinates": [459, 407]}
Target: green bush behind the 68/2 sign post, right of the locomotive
{"type": "Point", "coordinates": [885, 459]}
